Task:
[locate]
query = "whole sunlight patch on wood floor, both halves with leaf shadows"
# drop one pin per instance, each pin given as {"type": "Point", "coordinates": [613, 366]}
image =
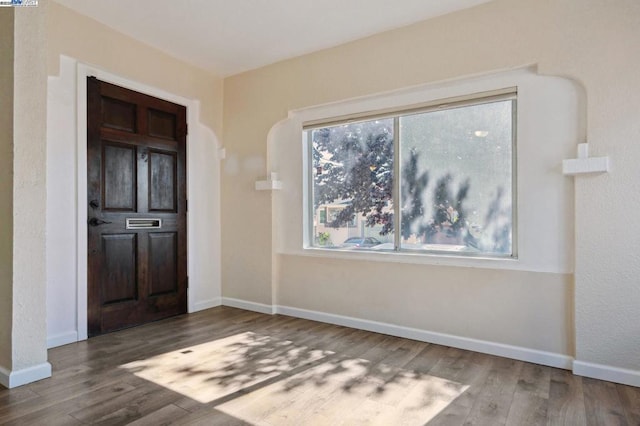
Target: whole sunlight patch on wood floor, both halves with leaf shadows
{"type": "Point", "coordinates": [264, 380]}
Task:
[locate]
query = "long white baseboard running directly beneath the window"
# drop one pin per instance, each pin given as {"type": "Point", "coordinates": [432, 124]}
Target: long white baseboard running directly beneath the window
{"type": "Point", "coordinates": [508, 351]}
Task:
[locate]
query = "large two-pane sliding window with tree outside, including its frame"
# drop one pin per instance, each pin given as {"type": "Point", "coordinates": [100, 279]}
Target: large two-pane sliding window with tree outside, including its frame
{"type": "Point", "coordinates": [437, 178]}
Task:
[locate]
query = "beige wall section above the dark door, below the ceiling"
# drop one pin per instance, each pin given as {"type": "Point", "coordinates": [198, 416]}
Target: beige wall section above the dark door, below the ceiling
{"type": "Point", "coordinates": [95, 44]}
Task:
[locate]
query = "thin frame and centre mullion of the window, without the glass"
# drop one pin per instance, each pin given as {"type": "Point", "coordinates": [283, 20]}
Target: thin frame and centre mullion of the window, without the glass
{"type": "Point", "coordinates": [480, 98]}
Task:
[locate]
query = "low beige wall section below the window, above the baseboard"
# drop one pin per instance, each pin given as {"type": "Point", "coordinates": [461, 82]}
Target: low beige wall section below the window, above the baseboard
{"type": "Point", "coordinates": [523, 309]}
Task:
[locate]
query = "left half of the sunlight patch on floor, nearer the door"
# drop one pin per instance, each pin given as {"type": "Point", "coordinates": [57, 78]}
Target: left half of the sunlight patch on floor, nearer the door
{"type": "Point", "coordinates": [219, 368]}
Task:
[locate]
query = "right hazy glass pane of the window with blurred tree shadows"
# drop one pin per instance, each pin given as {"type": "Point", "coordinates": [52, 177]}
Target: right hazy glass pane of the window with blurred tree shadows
{"type": "Point", "coordinates": [456, 179]}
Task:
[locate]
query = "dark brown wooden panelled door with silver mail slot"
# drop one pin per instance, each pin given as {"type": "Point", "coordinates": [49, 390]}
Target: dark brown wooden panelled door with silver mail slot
{"type": "Point", "coordinates": [137, 208]}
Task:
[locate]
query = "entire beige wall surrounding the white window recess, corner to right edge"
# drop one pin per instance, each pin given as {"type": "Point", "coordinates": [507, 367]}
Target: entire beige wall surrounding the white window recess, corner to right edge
{"type": "Point", "coordinates": [593, 42]}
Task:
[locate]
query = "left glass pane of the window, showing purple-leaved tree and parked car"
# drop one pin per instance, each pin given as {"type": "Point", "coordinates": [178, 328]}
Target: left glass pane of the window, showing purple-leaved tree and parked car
{"type": "Point", "coordinates": [353, 182]}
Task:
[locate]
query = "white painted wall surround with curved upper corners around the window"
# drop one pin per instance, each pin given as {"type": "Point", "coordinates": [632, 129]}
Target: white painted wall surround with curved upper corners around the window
{"type": "Point", "coordinates": [549, 127]}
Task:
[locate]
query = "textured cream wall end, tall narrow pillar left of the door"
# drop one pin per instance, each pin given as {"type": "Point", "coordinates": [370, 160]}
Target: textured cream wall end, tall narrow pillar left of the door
{"type": "Point", "coordinates": [29, 203]}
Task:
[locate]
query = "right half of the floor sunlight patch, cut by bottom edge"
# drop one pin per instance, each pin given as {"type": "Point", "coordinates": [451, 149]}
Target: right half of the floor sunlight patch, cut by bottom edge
{"type": "Point", "coordinates": [349, 391]}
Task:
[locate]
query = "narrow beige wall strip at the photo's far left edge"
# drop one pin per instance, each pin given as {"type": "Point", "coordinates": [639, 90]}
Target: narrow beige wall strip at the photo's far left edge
{"type": "Point", "coordinates": [6, 184]}
